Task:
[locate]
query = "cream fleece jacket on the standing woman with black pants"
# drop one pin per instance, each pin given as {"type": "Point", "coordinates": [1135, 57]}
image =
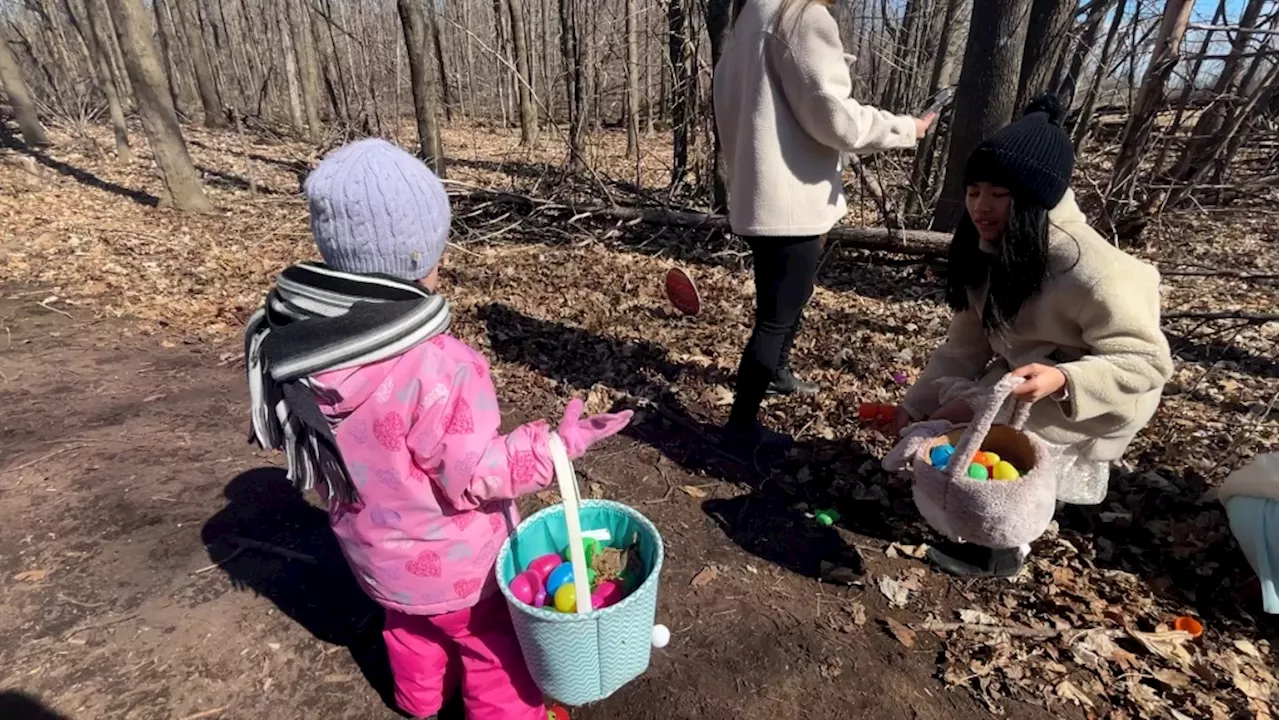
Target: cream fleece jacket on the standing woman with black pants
{"type": "Point", "coordinates": [784, 115]}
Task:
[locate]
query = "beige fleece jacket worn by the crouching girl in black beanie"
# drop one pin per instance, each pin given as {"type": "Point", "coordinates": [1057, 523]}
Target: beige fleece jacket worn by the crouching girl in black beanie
{"type": "Point", "coordinates": [1098, 320]}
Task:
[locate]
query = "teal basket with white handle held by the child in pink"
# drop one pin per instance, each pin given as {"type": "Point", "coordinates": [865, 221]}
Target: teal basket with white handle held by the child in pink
{"type": "Point", "coordinates": [584, 658]}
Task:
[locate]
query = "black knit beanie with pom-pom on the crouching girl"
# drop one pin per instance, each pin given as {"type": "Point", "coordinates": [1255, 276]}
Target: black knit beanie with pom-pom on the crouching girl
{"type": "Point", "coordinates": [1032, 157]}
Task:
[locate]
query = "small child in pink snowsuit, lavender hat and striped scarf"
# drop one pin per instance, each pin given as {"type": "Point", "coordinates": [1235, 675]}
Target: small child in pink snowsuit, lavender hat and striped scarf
{"type": "Point", "coordinates": [420, 484]}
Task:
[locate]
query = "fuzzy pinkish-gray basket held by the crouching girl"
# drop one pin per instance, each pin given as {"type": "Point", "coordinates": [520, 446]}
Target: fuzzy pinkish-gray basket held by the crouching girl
{"type": "Point", "coordinates": [990, 513]}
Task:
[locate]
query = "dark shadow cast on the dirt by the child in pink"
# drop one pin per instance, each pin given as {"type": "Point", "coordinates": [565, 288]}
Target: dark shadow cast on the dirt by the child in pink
{"type": "Point", "coordinates": [322, 596]}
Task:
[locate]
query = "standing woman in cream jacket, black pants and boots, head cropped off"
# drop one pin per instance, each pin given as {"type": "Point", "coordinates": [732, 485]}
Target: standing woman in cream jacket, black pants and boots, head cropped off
{"type": "Point", "coordinates": [785, 117]}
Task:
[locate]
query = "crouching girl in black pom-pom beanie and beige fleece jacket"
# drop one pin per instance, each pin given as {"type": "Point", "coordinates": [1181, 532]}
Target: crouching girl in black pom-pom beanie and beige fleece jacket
{"type": "Point", "coordinates": [1037, 293]}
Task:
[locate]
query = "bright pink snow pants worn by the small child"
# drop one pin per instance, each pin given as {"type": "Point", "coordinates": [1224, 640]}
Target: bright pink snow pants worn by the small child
{"type": "Point", "coordinates": [429, 654]}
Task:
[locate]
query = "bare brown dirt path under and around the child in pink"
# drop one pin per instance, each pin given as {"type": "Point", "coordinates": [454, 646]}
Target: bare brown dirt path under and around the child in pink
{"type": "Point", "coordinates": [125, 475]}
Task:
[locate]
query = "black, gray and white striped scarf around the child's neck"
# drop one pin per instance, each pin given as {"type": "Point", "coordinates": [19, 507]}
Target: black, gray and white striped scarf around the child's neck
{"type": "Point", "coordinates": [319, 320]}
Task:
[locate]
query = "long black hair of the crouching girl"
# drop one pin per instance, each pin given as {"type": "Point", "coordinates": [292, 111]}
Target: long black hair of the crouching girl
{"type": "Point", "coordinates": [1013, 276]}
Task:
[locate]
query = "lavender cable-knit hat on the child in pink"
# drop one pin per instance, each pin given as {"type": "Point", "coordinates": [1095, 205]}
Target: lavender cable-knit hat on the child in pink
{"type": "Point", "coordinates": [378, 209]}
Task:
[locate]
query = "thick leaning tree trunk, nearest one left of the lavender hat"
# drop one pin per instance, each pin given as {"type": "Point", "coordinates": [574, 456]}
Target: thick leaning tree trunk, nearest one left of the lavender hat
{"type": "Point", "coordinates": [159, 119]}
